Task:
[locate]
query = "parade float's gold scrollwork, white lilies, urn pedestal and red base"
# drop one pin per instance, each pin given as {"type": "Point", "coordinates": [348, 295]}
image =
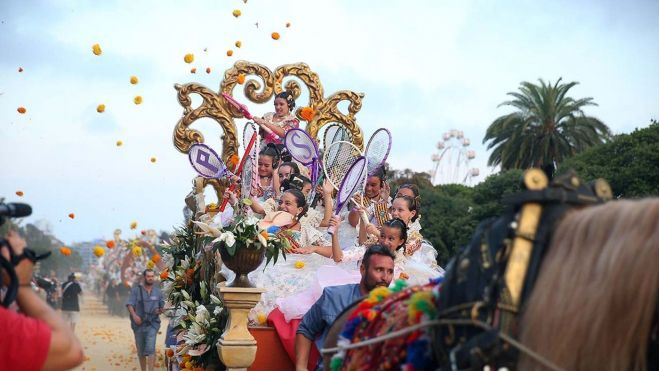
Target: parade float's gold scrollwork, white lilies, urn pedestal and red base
{"type": "Point", "coordinates": [211, 314]}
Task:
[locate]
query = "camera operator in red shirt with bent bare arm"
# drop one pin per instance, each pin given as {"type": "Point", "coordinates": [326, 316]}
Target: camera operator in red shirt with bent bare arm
{"type": "Point", "coordinates": [37, 339]}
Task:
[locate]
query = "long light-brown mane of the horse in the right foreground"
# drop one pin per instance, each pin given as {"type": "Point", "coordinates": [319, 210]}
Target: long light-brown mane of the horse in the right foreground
{"type": "Point", "coordinates": [595, 300]}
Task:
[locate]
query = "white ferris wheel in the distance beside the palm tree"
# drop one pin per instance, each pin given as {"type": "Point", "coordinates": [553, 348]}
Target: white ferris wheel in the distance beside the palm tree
{"type": "Point", "coordinates": [452, 162]}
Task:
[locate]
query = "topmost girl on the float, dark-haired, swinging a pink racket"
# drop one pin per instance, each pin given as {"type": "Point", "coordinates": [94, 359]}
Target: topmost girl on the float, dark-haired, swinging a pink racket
{"type": "Point", "coordinates": [274, 125]}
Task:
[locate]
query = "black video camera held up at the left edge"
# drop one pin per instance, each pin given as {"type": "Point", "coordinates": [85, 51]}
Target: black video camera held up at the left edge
{"type": "Point", "coordinates": [14, 210]}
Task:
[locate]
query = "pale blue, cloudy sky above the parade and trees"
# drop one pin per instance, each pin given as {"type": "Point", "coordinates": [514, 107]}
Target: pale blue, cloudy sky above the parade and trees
{"type": "Point", "coordinates": [425, 67]}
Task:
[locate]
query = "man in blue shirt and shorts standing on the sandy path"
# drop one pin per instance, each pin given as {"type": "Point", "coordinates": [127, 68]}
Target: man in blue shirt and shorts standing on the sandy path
{"type": "Point", "coordinates": [145, 304]}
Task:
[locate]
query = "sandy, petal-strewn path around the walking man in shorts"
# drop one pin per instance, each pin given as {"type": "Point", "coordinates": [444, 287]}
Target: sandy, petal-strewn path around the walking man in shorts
{"type": "Point", "coordinates": [108, 341]}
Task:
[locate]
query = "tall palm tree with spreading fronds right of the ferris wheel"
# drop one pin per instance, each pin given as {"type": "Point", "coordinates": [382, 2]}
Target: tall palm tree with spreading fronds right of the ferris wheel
{"type": "Point", "coordinates": [547, 128]}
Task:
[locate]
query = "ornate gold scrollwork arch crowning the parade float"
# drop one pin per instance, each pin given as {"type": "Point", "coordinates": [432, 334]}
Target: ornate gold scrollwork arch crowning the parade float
{"type": "Point", "coordinates": [261, 89]}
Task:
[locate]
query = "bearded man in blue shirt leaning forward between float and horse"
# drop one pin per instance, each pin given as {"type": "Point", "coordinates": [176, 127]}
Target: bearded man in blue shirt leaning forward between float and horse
{"type": "Point", "coordinates": [377, 269]}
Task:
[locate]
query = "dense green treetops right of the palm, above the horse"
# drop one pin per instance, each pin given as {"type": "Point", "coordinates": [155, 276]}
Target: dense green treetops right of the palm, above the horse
{"type": "Point", "coordinates": [630, 163]}
